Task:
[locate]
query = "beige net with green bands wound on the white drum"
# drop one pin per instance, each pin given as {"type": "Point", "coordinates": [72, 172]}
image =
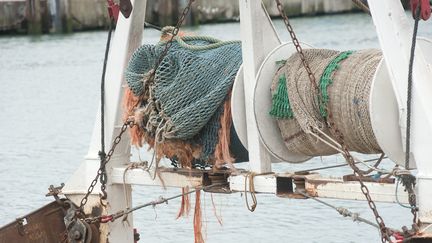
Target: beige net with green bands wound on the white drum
{"type": "Point", "coordinates": [344, 82]}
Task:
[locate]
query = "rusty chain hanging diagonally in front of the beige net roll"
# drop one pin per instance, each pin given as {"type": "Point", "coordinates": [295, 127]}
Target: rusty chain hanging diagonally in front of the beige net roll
{"type": "Point", "coordinates": [385, 232]}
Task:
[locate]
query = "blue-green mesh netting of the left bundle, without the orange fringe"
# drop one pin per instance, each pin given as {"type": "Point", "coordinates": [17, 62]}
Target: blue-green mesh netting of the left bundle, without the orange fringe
{"type": "Point", "coordinates": [189, 87]}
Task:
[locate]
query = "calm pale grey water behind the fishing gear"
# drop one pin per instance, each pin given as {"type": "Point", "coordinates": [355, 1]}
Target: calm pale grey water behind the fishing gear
{"type": "Point", "coordinates": [48, 104]}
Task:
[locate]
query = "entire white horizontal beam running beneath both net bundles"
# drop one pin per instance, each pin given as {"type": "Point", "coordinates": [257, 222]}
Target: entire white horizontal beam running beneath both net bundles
{"type": "Point", "coordinates": [314, 184]}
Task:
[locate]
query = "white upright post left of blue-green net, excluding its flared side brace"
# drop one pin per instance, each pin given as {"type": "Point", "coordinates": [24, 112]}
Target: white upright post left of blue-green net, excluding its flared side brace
{"type": "Point", "coordinates": [127, 38]}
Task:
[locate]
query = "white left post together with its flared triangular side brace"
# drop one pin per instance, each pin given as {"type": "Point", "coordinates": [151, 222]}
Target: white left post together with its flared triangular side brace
{"type": "Point", "coordinates": [127, 38]}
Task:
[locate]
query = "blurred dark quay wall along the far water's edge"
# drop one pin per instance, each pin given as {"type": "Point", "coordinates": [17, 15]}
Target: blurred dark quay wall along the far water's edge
{"type": "Point", "coordinates": [65, 16]}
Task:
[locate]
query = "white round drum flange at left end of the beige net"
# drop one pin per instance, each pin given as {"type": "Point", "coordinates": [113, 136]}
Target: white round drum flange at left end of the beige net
{"type": "Point", "coordinates": [267, 126]}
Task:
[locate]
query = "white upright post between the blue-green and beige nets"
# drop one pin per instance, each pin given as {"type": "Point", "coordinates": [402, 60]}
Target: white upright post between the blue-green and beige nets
{"type": "Point", "coordinates": [258, 39]}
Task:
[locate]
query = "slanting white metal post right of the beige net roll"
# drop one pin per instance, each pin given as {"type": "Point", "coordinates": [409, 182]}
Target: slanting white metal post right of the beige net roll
{"type": "Point", "coordinates": [394, 33]}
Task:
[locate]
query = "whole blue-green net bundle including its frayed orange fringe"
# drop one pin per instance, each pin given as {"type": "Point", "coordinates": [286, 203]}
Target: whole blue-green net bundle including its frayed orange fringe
{"type": "Point", "coordinates": [181, 107]}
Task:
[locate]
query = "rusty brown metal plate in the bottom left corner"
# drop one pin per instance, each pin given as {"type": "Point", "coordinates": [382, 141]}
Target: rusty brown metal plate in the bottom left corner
{"type": "Point", "coordinates": [44, 225]}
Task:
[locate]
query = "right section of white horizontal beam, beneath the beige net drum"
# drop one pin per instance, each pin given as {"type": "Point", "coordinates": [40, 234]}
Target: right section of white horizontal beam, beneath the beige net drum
{"type": "Point", "coordinates": [324, 188]}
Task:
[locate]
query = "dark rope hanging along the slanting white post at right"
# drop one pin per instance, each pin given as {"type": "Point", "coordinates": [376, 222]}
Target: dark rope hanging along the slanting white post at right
{"type": "Point", "coordinates": [409, 89]}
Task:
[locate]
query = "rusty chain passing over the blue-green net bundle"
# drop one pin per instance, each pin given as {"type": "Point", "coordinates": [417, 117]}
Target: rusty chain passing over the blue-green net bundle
{"type": "Point", "coordinates": [101, 174]}
